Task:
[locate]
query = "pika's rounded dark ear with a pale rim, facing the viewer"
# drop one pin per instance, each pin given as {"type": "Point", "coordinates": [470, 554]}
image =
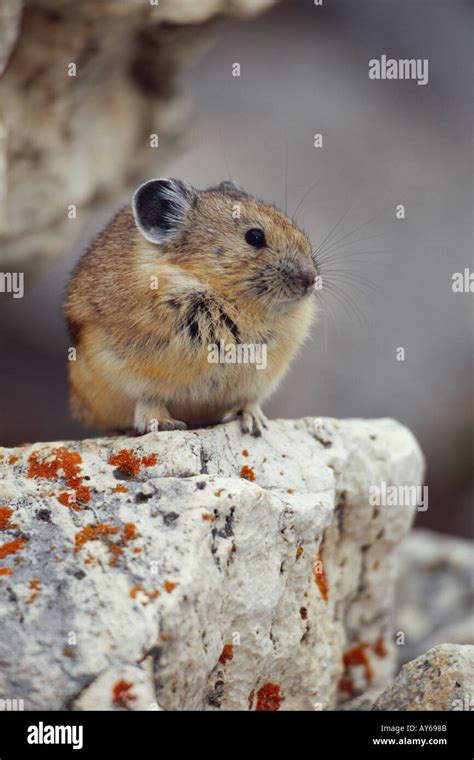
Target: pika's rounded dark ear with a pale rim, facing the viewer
{"type": "Point", "coordinates": [160, 208]}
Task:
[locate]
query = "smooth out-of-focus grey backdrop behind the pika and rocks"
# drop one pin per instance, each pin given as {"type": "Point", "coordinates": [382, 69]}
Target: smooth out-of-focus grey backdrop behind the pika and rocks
{"type": "Point", "coordinates": [304, 70]}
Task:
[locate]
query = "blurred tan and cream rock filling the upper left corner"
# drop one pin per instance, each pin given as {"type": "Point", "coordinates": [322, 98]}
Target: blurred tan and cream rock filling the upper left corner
{"type": "Point", "coordinates": [84, 87]}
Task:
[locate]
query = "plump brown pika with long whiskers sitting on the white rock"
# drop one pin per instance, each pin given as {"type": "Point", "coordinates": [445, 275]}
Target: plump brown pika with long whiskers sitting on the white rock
{"type": "Point", "coordinates": [180, 272]}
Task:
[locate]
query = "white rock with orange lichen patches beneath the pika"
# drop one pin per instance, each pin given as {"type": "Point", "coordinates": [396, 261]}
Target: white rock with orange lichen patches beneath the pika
{"type": "Point", "coordinates": [230, 573]}
